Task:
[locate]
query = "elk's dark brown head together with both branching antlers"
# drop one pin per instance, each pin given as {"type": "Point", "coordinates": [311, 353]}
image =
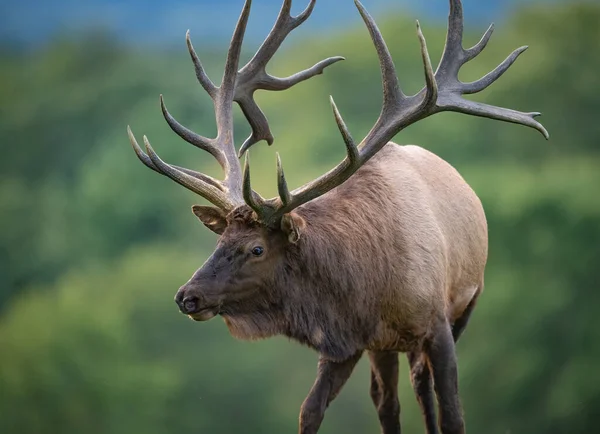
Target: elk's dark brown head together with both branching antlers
{"type": "Point", "coordinates": [256, 234]}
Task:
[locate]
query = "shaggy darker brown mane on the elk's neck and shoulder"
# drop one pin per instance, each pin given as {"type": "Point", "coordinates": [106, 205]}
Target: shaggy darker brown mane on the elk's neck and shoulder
{"type": "Point", "coordinates": [325, 304]}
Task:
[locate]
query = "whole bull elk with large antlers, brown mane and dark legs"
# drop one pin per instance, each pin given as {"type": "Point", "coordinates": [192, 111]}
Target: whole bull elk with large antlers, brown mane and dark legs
{"type": "Point", "coordinates": [385, 253]}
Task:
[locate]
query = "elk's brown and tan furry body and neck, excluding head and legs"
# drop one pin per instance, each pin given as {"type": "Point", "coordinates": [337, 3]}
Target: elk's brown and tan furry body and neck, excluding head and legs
{"type": "Point", "coordinates": [382, 258]}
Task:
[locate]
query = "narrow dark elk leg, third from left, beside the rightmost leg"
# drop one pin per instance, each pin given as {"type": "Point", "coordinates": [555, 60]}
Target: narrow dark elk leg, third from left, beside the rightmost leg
{"type": "Point", "coordinates": [420, 376]}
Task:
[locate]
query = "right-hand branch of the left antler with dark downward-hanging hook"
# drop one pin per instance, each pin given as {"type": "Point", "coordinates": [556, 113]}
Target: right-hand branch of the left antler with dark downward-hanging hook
{"type": "Point", "coordinates": [253, 75]}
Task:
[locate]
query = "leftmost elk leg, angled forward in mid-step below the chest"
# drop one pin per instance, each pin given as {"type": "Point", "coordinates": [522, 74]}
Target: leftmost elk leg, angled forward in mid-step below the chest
{"type": "Point", "coordinates": [331, 377]}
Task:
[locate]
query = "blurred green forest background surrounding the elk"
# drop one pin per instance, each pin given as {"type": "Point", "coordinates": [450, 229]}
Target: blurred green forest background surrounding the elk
{"type": "Point", "coordinates": [94, 245]}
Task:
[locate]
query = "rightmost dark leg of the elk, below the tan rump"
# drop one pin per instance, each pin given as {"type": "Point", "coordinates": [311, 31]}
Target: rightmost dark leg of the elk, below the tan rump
{"type": "Point", "coordinates": [442, 358]}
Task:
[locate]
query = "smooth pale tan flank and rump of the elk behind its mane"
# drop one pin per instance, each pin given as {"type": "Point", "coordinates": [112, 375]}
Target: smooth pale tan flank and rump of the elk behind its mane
{"type": "Point", "coordinates": [437, 240]}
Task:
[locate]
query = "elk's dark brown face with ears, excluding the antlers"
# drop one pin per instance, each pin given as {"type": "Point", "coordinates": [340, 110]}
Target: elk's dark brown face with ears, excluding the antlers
{"type": "Point", "coordinates": [239, 275]}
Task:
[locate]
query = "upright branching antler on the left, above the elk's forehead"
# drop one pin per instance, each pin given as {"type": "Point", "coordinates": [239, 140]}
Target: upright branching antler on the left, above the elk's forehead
{"type": "Point", "coordinates": [238, 86]}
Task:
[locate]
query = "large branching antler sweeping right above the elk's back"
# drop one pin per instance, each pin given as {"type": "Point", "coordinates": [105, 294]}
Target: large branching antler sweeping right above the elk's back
{"type": "Point", "coordinates": [442, 92]}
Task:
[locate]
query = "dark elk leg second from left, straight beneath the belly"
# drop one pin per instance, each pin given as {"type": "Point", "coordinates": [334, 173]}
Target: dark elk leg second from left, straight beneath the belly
{"type": "Point", "coordinates": [384, 389]}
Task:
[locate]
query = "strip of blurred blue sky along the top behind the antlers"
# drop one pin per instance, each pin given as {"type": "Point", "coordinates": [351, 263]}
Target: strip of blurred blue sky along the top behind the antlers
{"type": "Point", "coordinates": [165, 22]}
